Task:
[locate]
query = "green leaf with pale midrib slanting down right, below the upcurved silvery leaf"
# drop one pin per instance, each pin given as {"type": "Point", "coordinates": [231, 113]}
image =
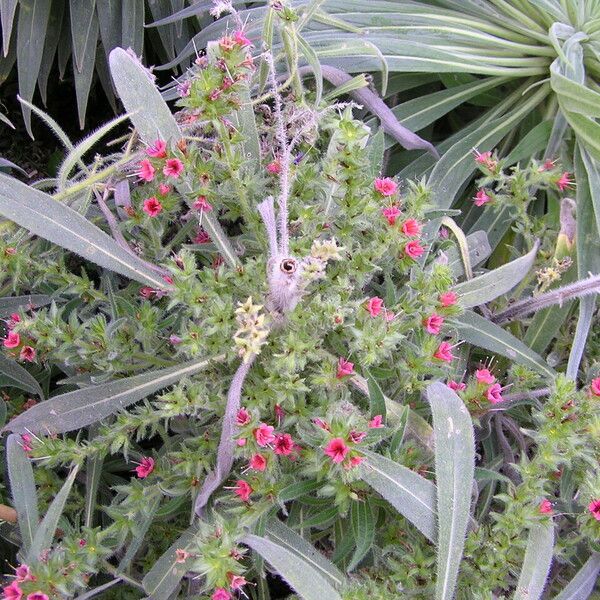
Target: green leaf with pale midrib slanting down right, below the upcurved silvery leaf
{"type": "Point", "coordinates": [481, 332]}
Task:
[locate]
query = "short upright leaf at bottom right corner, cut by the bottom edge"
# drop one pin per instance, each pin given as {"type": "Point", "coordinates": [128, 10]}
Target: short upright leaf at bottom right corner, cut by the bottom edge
{"type": "Point", "coordinates": [536, 564]}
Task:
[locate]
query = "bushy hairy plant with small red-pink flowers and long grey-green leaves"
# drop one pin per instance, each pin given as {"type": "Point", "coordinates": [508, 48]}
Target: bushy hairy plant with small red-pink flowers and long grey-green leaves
{"type": "Point", "coordinates": [284, 309]}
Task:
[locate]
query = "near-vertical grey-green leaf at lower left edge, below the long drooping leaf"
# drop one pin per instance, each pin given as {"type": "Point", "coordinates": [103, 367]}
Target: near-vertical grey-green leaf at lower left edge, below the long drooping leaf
{"type": "Point", "coordinates": [23, 492]}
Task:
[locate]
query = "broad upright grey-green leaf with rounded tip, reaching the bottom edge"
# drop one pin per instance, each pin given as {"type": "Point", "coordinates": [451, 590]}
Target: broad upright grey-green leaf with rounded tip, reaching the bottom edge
{"type": "Point", "coordinates": [454, 473]}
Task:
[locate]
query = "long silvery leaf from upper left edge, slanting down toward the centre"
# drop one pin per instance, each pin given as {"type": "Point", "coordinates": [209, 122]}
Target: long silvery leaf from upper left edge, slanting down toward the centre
{"type": "Point", "coordinates": [44, 216]}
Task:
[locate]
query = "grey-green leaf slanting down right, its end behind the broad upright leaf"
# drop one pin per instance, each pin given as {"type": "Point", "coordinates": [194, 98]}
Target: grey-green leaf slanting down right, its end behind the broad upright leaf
{"type": "Point", "coordinates": [410, 494]}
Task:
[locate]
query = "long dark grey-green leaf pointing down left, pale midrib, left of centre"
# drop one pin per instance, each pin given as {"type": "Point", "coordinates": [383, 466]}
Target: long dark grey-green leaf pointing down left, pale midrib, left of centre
{"type": "Point", "coordinates": [81, 408]}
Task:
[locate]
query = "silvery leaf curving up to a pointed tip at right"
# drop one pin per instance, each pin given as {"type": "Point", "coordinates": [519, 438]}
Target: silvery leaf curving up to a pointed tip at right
{"type": "Point", "coordinates": [497, 282]}
